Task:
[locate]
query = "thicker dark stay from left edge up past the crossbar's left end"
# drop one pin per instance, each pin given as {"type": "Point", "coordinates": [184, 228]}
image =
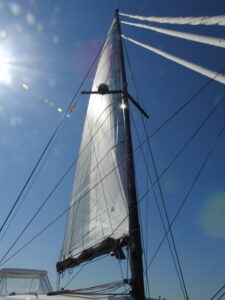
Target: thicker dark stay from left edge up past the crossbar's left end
{"type": "Point", "coordinates": [50, 141]}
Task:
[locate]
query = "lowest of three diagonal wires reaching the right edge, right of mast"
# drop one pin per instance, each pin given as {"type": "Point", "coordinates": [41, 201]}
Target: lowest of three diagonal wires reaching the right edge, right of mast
{"type": "Point", "coordinates": [190, 190]}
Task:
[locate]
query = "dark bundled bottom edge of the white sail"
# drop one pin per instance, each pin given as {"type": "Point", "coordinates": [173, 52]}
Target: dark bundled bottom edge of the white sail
{"type": "Point", "coordinates": [109, 245]}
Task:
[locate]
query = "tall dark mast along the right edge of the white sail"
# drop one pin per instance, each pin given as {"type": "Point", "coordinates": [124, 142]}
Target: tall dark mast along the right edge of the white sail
{"type": "Point", "coordinates": [136, 265]}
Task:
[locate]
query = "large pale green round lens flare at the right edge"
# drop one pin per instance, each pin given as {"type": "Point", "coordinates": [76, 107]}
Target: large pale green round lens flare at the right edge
{"type": "Point", "coordinates": [212, 216]}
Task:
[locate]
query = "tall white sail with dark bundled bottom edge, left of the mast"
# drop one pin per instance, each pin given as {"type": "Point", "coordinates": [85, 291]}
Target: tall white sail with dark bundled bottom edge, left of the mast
{"type": "Point", "coordinates": [97, 222]}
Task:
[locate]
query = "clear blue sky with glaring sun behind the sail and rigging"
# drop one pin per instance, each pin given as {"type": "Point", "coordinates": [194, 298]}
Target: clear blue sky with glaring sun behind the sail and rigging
{"type": "Point", "coordinates": [49, 46]}
